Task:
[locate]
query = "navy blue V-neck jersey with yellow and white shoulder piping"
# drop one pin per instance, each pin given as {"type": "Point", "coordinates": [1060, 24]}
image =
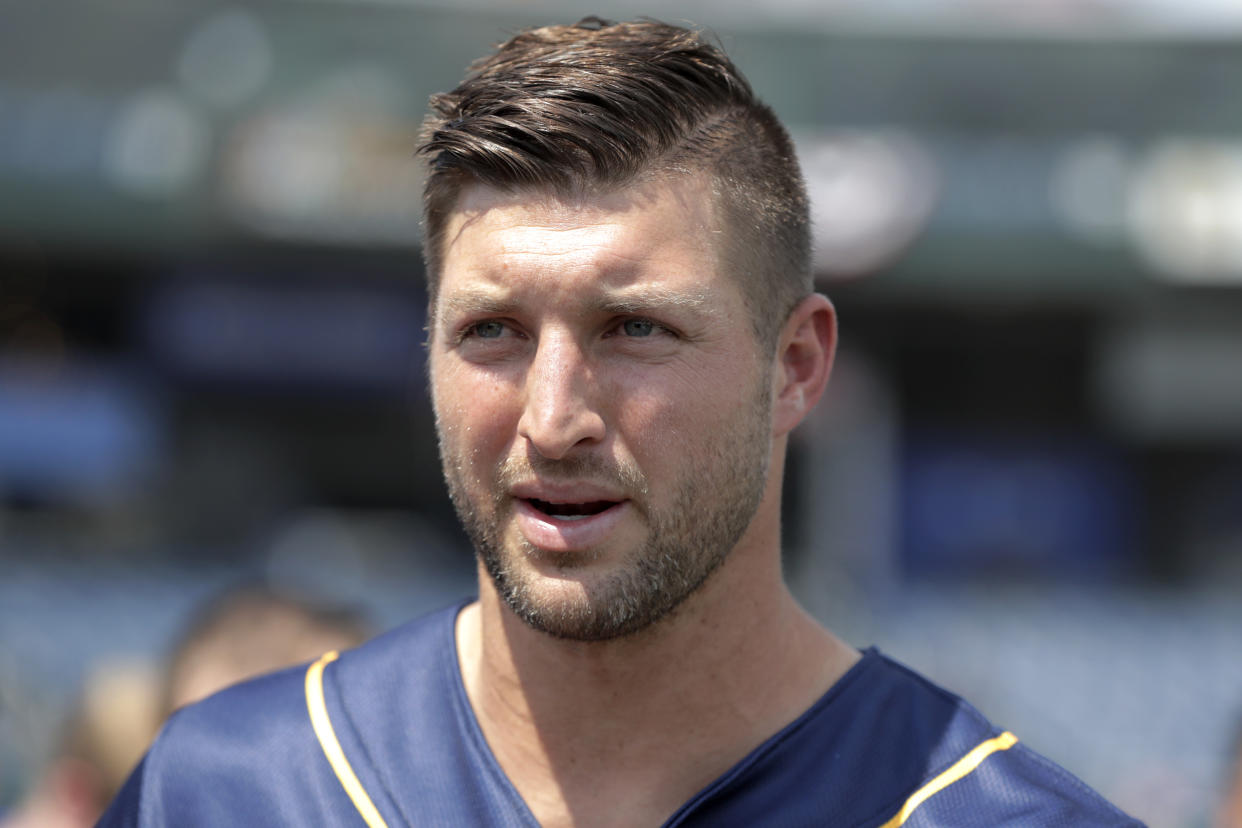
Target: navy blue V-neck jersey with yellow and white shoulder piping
{"type": "Point", "coordinates": [384, 736]}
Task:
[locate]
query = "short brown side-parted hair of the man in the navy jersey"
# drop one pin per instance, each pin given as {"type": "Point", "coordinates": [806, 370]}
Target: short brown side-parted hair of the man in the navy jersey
{"type": "Point", "coordinates": [594, 107]}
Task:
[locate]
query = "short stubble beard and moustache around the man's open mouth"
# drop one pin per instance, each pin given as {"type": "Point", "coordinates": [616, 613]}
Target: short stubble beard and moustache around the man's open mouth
{"type": "Point", "coordinates": [715, 501]}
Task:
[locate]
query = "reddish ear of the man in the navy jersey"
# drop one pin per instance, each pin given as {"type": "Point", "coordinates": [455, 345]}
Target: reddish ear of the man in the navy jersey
{"type": "Point", "coordinates": [804, 362]}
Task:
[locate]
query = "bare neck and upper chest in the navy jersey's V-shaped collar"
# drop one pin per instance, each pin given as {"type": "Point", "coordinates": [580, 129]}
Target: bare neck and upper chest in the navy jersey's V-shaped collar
{"type": "Point", "coordinates": [635, 727]}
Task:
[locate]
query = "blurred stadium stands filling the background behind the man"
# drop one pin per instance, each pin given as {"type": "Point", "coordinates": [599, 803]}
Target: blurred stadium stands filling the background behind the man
{"type": "Point", "coordinates": [1027, 480]}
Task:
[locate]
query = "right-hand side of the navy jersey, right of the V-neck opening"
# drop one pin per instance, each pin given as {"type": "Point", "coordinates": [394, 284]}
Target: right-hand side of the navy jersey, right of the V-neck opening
{"type": "Point", "coordinates": [887, 748]}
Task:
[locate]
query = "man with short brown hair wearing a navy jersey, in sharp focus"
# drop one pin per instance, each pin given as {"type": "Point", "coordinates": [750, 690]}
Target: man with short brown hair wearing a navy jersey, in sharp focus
{"type": "Point", "coordinates": [623, 335]}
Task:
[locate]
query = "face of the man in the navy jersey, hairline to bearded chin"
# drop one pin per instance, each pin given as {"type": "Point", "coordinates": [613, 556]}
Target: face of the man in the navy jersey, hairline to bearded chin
{"type": "Point", "coordinates": [602, 404]}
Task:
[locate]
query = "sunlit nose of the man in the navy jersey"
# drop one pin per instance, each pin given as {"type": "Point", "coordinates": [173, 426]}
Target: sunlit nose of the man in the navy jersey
{"type": "Point", "coordinates": [560, 412]}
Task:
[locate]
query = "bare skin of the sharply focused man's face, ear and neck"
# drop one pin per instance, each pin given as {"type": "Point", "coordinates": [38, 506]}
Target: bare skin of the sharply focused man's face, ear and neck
{"type": "Point", "coordinates": [614, 441]}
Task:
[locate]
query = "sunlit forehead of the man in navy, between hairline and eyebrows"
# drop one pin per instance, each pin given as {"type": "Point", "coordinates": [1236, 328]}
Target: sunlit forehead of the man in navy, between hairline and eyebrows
{"type": "Point", "coordinates": [664, 230]}
